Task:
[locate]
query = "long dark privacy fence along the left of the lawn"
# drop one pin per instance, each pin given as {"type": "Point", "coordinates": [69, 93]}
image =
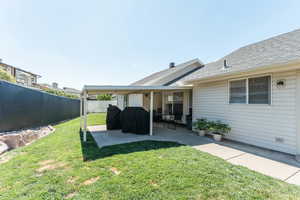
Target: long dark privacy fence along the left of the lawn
{"type": "Point", "coordinates": [22, 107]}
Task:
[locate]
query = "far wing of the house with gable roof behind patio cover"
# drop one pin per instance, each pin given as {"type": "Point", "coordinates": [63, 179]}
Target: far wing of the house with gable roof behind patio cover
{"type": "Point", "coordinates": [178, 102]}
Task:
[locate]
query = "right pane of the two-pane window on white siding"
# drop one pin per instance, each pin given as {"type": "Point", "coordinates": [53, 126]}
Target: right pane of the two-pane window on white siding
{"type": "Point", "coordinates": [260, 90]}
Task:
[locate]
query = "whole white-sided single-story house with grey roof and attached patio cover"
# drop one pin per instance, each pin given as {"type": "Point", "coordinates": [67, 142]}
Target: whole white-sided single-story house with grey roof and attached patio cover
{"type": "Point", "coordinates": [255, 89]}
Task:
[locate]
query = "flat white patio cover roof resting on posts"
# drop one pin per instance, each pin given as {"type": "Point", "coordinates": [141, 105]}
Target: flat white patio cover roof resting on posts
{"type": "Point", "coordinates": [98, 89]}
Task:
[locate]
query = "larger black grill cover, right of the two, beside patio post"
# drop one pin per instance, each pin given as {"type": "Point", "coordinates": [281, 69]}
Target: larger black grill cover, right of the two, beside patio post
{"type": "Point", "coordinates": [135, 120]}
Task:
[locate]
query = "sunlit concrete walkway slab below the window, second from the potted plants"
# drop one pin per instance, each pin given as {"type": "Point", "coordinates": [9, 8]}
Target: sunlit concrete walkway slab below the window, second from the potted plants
{"type": "Point", "coordinates": [265, 166]}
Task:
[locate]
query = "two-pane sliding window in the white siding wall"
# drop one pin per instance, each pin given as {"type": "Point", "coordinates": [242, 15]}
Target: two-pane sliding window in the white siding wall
{"type": "Point", "coordinates": [255, 90]}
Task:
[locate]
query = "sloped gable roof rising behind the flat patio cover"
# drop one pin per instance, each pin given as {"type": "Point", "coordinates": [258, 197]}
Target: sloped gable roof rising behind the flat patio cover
{"type": "Point", "coordinates": [166, 76]}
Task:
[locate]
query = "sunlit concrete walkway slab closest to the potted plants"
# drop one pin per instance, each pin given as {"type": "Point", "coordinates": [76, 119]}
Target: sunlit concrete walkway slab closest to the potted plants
{"type": "Point", "coordinates": [219, 150]}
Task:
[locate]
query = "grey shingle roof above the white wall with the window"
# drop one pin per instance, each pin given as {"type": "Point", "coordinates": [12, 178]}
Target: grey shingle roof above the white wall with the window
{"type": "Point", "coordinates": [280, 49]}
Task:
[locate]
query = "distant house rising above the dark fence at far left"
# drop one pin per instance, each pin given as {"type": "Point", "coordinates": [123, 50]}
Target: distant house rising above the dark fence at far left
{"type": "Point", "coordinates": [22, 77]}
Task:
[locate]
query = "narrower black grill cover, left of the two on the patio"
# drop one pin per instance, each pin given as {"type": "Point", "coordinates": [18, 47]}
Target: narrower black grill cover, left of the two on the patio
{"type": "Point", "coordinates": [113, 118]}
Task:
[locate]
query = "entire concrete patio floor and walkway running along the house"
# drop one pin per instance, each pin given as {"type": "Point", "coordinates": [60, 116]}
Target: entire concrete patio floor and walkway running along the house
{"type": "Point", "coordinates": [278, 165]}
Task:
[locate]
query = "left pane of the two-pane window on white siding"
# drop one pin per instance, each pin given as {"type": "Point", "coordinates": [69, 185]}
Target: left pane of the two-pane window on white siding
{"type": "Point", "coordinates": [238, 91]}
